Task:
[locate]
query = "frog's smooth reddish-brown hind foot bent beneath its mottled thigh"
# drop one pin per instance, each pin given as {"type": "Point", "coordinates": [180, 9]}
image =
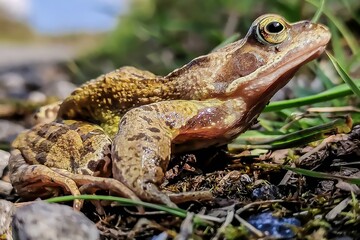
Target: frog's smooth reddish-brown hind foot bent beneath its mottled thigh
{"type": "Point", "coordinates": [29, 179]}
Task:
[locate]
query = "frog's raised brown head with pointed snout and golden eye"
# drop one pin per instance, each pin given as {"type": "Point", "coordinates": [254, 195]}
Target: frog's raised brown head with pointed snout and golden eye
{"type": "Point", "coordinates": [266, 59]}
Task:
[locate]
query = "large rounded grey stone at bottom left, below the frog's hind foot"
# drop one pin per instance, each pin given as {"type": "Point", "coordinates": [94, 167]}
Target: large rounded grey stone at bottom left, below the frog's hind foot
{"type": "Point", "coordinates": [42, 220]}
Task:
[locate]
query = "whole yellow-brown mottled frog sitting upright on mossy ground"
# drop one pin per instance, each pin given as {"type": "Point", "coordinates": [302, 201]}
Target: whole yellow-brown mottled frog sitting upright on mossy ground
{"type": "Point", "coordinates": [127, 123]}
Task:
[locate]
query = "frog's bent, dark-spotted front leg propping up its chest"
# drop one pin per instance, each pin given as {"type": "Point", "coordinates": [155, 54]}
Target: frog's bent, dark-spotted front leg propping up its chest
{"type": "Point", "coordinates": [147, 135]}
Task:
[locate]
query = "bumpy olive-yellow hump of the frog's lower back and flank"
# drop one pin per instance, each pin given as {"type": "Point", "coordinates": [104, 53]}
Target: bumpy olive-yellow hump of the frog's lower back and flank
{"type": "Point", "coordinates": [105, 99]}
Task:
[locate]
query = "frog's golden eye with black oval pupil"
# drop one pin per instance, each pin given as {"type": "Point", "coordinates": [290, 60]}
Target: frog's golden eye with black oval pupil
{"type": "Point", "coordinates": [272, 30]}
